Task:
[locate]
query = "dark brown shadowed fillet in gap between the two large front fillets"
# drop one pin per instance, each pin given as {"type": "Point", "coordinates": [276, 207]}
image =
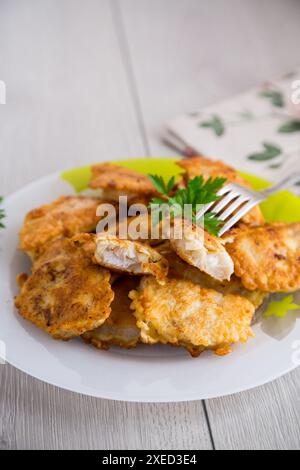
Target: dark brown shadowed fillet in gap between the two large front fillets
{"type": "Point", "coordinates": [120, 328]}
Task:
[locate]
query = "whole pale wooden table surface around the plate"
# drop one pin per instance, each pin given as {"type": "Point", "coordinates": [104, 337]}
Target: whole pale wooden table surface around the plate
{"type": "Point", "coordinates": [96, 80]}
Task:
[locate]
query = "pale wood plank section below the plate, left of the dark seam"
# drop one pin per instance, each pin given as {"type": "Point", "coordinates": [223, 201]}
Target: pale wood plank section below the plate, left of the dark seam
{"type": "Point", "coordinates": [34, 415]}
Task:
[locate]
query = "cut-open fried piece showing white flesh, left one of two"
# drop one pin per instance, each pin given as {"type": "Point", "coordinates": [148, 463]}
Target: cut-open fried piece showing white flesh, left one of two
{"type": "Point", "coordinates": [125, 256]}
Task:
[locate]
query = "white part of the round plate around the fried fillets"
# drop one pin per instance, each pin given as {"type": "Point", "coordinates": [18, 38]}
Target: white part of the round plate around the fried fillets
{"type": "Point", "coordinates": [144, 374]}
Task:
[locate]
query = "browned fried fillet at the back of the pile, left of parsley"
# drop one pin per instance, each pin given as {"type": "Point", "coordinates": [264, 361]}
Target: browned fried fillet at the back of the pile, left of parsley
{"type": "Point", "coordinates": [120, 180]}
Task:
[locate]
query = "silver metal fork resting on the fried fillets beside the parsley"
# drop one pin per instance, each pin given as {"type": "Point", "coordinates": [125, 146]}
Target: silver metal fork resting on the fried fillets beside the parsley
{"type": "Point", "coordinates": [236, 201]}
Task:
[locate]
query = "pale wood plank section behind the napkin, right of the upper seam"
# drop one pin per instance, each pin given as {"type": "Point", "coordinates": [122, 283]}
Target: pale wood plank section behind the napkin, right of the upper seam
{"type": "Point", "coordinates": [188, 54]}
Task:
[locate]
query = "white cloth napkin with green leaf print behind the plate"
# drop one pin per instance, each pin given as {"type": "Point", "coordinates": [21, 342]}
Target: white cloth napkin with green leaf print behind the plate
{"type": "Point", "coordinates": [257, 131]}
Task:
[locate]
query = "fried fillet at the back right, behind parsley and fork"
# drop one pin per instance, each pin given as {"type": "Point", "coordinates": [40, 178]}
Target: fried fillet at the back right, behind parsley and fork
{"type": "Point", "coordinates": [197, 166]}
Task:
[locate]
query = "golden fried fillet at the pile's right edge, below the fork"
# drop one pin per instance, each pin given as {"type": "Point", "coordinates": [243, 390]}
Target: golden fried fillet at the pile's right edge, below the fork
{"type": "Point", "coordinates": [268, 257]}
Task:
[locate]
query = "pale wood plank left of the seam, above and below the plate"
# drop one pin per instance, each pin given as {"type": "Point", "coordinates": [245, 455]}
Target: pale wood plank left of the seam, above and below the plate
{"type": "Point", "coordinates": [70, 102]}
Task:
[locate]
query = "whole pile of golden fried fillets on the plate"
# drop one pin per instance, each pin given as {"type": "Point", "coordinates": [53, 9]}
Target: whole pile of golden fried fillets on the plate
{"type": "Point", "coordinates": [113, 291]}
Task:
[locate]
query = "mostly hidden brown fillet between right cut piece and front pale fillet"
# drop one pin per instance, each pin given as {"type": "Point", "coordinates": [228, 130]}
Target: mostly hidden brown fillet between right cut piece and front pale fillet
{"type": "Point", "coordinates": [179, 269]}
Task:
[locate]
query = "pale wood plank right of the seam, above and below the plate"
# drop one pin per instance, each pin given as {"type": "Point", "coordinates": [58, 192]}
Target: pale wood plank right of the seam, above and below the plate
{"type": "Point", "coordinates": [186, 55]}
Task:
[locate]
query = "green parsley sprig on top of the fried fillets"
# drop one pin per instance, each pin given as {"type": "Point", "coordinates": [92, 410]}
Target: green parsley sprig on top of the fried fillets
{"type": "Point", "coordinates": [197, 192]}
